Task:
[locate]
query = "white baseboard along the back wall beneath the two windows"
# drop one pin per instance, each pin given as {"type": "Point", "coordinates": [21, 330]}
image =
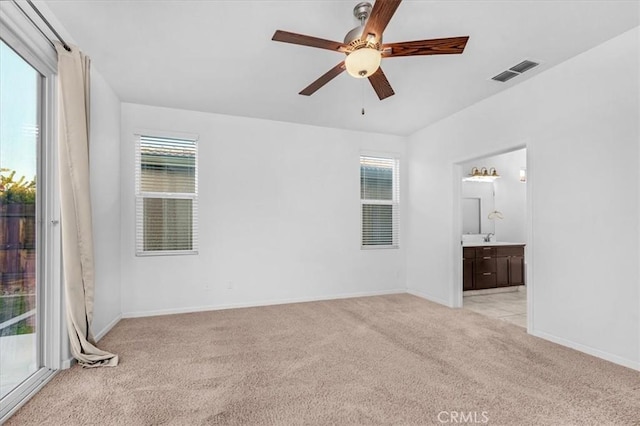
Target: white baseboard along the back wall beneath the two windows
{"type": "Point", "coordinates": [259, 303]}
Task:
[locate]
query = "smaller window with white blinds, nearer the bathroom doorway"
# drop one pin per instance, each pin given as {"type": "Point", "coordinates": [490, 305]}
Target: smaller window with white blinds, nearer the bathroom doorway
{"type": "Point", "coordinates": [379, 196]}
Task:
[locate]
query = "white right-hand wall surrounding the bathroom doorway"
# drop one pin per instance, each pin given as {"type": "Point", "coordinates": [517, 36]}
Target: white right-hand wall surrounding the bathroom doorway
{"type": "Point", "coordinates": [579, 122]}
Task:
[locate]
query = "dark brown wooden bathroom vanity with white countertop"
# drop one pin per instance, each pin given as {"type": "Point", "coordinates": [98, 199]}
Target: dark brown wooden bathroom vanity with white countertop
{"type": "Point", "coordinates": [492, 265]}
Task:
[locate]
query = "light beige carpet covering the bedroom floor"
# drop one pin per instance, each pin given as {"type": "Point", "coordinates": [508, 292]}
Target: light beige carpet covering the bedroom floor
{"type": "Point", "coordinates": [376, 360]}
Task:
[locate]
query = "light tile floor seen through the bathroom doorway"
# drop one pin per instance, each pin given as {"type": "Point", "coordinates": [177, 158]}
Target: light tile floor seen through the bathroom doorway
{"type": "Point", "coordinates": [509, 306]}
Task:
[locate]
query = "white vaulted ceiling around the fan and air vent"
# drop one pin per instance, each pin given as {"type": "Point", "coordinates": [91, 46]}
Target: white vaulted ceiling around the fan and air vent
{"type": "Point", "coordinates": [217, 56]}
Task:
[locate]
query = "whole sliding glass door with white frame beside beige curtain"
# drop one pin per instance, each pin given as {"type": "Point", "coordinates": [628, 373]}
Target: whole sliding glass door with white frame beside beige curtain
{"type": "Point", "coordinates": [31, 342]}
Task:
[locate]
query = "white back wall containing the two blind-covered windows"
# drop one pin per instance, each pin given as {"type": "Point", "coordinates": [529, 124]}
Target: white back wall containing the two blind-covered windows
{"type": "Point", "coordinates": [279, 216]}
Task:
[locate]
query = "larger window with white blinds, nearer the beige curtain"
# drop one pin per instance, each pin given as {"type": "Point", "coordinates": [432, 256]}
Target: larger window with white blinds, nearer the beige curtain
{"type": "Point", "coordinates": [167, 195]}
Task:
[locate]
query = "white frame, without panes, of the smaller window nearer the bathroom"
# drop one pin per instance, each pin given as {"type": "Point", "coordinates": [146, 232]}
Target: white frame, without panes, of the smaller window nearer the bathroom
{"type": "Point", "coordinates": [394, 202]}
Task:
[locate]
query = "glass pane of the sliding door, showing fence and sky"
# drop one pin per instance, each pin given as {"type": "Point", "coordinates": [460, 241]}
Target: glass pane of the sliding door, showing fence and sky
{"type": "Point", "coordinates": [20, 111]}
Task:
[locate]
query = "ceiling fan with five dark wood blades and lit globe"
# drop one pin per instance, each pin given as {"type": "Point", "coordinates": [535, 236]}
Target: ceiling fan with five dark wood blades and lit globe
{"type": "Point", "coordinates": [364, 48]}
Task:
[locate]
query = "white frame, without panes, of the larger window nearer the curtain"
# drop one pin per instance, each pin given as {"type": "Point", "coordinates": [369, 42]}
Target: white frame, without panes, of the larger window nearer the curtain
{"type": "Point", "coordinates": [142, 195]}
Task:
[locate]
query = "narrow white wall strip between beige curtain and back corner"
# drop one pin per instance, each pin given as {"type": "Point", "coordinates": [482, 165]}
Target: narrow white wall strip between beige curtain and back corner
{"type": "Point", "coordinates": [104, 153]}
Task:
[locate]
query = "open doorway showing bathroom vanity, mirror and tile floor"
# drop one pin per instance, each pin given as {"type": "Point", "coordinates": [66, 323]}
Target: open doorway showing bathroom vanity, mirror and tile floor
{"type": "Point", "coordinates": [494, 236]}
